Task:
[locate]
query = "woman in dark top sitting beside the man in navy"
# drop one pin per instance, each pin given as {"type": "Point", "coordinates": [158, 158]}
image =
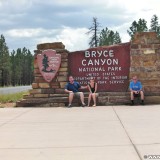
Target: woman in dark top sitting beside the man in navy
{"type": "Point", "coordinates": [92, 86]}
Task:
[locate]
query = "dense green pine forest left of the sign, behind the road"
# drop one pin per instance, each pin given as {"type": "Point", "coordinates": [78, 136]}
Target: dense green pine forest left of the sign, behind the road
{"type": "Point", "coordinates": [16, 68]}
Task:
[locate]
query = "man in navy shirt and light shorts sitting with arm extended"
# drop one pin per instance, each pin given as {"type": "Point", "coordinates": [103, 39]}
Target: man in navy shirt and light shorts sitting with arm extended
{"type": "Point", "coordinates": [72, 87]}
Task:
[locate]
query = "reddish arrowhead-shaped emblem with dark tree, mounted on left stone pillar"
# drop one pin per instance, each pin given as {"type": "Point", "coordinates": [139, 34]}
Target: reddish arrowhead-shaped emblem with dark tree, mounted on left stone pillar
{"type": "Point", "coordinates": [49, 62]}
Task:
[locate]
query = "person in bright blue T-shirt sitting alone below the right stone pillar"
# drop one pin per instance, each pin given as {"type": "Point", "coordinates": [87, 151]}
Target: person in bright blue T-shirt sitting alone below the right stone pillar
{"type": "Point", "coordinates": [136, 90]}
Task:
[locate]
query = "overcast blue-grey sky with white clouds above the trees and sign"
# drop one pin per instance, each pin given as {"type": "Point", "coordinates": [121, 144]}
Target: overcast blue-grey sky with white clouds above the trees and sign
{"type": "Point", "coordinates": [26, 23]}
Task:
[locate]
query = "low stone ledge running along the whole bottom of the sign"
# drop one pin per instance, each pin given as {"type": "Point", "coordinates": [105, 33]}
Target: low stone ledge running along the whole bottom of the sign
{"type": "Point", "coordinates": [103, 99]}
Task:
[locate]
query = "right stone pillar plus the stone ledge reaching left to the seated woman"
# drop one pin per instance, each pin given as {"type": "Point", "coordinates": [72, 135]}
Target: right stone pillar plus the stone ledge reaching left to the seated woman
{"type": "Point", "coordinates": [145, 63]}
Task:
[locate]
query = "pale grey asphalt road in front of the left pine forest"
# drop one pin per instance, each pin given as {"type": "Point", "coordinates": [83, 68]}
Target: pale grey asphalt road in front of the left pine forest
{"type": "Point", "coordinates": [8, 90]}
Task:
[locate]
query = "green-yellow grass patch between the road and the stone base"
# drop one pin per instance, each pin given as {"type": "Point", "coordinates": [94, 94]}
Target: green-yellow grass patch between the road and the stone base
{"type": "Point", "coordinates": [6, 98]}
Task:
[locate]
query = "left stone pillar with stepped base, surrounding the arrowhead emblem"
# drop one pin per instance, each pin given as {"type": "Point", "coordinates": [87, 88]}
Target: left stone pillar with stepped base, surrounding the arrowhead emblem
{"type": "Point", "coordinates": [48, 93]}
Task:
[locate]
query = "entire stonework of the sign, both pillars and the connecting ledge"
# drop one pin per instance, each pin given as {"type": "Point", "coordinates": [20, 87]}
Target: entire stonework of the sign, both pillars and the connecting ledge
{"type": "Point", "coordinates": [144, 62]}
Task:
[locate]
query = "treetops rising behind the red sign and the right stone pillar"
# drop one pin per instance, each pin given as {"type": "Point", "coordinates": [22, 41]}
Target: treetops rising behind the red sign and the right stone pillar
{"type": "Point", "coordinates": [109, 37]}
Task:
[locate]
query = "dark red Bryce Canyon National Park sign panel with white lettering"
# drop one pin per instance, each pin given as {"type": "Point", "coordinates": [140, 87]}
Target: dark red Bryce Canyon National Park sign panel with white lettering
{"type": "Point", "coordinates": [109, 65]}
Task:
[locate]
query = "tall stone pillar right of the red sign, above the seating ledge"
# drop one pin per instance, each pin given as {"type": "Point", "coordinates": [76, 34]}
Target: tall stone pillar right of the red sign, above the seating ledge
{"type": "Point", "coordinates": [145, 60]}
